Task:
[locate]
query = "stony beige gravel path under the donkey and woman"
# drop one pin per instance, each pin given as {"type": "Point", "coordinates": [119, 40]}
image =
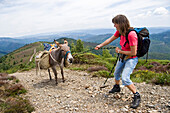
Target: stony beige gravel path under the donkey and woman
{"type": "Point", "coordinates": [81, 93]}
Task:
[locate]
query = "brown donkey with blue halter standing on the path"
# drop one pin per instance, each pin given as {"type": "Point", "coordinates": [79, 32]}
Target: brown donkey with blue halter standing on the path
{"type": "Point", "coordinates": [60, 56]}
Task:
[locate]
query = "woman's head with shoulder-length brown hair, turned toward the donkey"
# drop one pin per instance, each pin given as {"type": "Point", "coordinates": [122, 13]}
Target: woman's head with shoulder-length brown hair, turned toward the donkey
{"type": "Point", "coordinates": [121, 23]}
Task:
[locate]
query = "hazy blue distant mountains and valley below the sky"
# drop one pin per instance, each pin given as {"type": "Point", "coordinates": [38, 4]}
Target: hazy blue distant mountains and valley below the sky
{"type": "Point", "coordinates": [160, 40]}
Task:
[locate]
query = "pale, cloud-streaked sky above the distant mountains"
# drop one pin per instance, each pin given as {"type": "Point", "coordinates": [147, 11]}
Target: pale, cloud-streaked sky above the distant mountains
{"type": "Point", "coordinates": [27, 17]}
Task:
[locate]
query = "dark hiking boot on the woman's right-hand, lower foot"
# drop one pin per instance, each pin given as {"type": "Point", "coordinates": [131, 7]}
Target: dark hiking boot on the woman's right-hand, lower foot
{"type": "Point", "coordinates": [136, 101]}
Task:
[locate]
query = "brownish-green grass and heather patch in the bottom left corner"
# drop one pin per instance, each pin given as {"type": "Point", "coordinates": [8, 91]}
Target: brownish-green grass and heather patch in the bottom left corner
{"type": "Point", "coordinates": [11, 102]}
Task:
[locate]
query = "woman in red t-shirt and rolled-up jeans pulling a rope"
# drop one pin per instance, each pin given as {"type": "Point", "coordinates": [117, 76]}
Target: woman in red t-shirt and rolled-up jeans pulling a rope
{"type": "Point", "coordinates": [124, 66]}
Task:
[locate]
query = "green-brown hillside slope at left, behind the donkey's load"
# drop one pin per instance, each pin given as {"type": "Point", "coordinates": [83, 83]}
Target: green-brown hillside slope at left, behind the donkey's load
{"type": "Point", "coordinates": [19, 58]}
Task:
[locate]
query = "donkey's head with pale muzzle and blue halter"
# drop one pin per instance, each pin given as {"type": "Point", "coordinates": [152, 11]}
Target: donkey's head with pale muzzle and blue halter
{"type": "Point", "coordinates": [66, 53]}
